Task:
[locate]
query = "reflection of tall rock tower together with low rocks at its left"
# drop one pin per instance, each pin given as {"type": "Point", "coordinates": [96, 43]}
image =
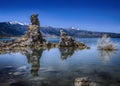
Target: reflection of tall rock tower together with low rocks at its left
{"type": "Point", "coordinates": [33, 56]}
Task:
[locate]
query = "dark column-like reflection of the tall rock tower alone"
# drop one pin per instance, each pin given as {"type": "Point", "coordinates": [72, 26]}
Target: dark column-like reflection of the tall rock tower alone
{"type": "Point", "coordinates": [33, 57]}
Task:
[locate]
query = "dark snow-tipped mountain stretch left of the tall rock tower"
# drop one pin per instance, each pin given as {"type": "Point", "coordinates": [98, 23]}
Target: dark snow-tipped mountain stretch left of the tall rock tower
{"type": "Point", "coordinates": [12, 29]}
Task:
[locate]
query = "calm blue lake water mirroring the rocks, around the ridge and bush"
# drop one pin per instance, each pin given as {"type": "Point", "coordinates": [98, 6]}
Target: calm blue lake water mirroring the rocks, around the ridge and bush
{"type": "Point", "coordinates": [60, 67]}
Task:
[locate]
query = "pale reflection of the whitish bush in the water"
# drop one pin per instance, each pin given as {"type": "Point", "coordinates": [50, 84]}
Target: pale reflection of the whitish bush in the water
{"type": "Point", "coordinates": [105, 55]}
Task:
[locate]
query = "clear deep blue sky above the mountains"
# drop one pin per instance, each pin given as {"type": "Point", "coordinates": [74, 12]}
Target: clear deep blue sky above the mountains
{"type": "Point", "coordinates": [93, 15]}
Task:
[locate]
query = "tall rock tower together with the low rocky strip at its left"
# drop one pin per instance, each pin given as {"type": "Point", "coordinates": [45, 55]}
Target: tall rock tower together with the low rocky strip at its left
{"type": "Point", "coordinates": [32, 37]}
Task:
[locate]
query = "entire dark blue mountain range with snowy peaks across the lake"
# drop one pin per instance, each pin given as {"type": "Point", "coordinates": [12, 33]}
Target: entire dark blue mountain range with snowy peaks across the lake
{"type": "Point", "coordinates": [18, 29]}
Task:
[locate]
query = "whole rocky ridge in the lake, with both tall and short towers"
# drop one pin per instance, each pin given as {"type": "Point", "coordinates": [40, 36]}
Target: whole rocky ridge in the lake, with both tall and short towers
{"type": "Point", "coordinates": [33, 38]}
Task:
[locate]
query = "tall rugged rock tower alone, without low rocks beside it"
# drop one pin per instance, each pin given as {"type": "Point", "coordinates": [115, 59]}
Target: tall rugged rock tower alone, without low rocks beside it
{"type": "Point", "coordinates": [33, 35]}
